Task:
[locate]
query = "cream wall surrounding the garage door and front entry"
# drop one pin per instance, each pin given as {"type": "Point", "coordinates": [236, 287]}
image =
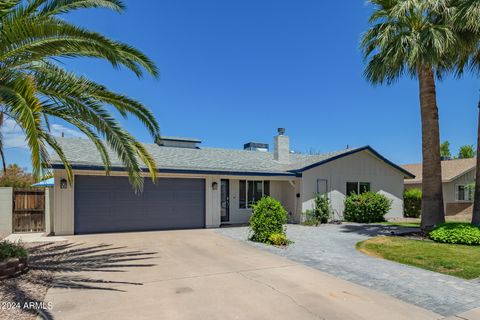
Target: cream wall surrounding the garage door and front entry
{"type": "Point", "coordinates": [63, 199]}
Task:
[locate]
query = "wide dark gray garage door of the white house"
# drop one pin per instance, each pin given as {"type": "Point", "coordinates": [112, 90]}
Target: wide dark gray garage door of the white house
{"type": "Point", "coordinates": [108, 204]}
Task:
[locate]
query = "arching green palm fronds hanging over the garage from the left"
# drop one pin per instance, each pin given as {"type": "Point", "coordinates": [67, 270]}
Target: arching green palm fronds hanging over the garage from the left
{"type": "Point", "coordinates": [34, 87]}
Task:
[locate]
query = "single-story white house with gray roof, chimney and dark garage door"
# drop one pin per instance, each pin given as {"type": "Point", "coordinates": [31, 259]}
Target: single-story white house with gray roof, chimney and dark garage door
{"type": "Point", "coordinates": [207, 187]}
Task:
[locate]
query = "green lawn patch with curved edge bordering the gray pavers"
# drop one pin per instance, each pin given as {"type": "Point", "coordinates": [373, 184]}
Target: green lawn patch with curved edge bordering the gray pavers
{"type": "Point", "coordinates": [455, 260]}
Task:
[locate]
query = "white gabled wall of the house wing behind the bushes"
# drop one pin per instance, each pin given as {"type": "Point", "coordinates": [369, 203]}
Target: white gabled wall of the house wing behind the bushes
{"type": "Point", "coordinates": [358, 167]}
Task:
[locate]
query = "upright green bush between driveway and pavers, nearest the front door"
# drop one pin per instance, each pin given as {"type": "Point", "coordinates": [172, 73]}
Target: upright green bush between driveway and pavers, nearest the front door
{"type": "Point", "coordinates": [268, 218]}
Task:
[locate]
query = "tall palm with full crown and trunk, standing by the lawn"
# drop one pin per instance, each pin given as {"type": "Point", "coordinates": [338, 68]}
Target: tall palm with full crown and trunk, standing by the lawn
{"type": "Point", "coordinates": [416, 38]}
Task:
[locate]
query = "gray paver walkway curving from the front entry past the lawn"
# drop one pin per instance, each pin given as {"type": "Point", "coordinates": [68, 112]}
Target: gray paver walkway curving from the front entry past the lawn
{"type": "Point", "coordinates": [331, 248]}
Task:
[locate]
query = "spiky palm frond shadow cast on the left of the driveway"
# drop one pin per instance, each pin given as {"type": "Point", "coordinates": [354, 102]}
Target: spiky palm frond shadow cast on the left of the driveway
{"type": "Point", "coordinates": [63, 265]}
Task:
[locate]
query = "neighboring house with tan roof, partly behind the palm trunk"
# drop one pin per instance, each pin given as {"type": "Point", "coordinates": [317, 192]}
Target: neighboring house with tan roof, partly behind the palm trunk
{"type": "Point", "coordinates": [458, 177]}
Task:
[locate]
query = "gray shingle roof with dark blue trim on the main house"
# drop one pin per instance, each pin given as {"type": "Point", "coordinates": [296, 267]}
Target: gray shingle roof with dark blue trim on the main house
{"type": "Point", "coordinates": [82, 153]}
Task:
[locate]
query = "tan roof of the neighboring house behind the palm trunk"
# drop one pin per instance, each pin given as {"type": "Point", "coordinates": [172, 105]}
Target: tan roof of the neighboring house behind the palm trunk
{"type": "Point", "coordinates": [451, 169]}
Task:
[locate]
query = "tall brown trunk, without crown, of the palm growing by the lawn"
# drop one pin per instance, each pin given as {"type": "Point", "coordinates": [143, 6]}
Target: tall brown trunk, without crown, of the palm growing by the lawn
{"type": "Point", "coordinates": [432, 195]}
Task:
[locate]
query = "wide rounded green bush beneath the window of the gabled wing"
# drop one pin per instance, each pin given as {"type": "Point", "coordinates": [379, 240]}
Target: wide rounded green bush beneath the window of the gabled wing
{"type": "Point", "coordinates": [366, 207]}
